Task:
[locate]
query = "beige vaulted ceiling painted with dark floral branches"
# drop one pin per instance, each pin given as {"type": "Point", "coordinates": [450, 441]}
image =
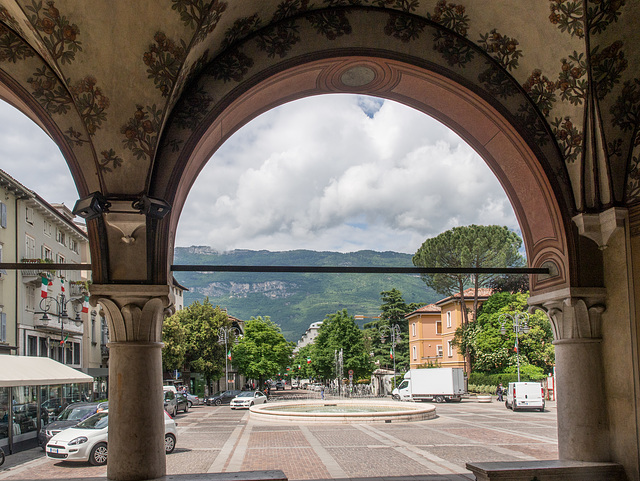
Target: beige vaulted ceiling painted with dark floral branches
{"type": "Point", "coordinates": [126, 88]}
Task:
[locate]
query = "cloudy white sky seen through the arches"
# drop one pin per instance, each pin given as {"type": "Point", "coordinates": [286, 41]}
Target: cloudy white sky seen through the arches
{"type": "Point", "coordinates": [336, 172]}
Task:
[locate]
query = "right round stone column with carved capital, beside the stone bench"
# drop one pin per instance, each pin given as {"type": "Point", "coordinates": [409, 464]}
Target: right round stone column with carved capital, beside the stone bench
{"type": "Point", "coordinates": [575, 316]}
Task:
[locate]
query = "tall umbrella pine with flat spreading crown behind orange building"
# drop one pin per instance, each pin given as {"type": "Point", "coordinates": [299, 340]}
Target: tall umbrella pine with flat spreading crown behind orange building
{"type": "Point", "coordinates": [472, 246]}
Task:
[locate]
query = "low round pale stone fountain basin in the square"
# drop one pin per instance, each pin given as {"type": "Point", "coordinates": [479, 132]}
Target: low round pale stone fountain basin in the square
{"type": "Point", "coordinates": [342, 412]}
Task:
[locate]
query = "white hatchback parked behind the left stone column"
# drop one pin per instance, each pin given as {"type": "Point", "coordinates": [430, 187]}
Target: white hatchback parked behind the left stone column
{"type": "Point", "coordinates": [87, 441]}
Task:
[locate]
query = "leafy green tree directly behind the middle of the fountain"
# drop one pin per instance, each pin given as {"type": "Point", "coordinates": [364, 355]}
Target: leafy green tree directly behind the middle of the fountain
{"type": "Point", "coordinates": [340, 331]}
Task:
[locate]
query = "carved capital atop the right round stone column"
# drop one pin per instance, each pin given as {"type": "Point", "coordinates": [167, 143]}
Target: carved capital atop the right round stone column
{"type": "Point", "coordinates": [575, 313]}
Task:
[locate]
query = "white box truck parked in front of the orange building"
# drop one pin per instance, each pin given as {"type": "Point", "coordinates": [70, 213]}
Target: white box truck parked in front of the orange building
{"type": "Point", "coordinates": [436, 384]}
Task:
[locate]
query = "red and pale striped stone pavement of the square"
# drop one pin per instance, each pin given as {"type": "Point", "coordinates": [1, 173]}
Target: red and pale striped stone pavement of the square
{"type": "Point", "coordinates": [216, 440]}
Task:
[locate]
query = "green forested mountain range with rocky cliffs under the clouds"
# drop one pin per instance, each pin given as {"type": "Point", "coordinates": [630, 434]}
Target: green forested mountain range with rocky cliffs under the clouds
{"type": "Point", "coordinates": [294, 300]}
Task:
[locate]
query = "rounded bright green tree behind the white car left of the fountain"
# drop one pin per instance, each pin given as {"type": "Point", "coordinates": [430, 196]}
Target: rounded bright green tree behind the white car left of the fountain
{"type": "Point", "coordinates": [263, 351]}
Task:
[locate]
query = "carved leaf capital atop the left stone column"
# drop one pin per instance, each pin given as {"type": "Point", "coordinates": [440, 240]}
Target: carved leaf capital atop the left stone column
{"type": "Point", "coordinates": [134, 312]}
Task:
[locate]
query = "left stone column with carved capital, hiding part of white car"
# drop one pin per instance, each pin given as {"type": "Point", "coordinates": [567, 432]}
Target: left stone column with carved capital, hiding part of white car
{"type": "Point", "coordinates": [136, 421]}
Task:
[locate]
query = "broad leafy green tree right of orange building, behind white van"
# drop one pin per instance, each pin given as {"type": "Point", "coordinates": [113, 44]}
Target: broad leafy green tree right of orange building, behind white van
{"type": "Point", "coordinates": [493, 352]}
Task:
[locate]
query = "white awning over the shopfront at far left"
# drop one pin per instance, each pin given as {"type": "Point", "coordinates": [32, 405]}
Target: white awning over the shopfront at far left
{"type": "Point", "coordinates": [36, 371]}
